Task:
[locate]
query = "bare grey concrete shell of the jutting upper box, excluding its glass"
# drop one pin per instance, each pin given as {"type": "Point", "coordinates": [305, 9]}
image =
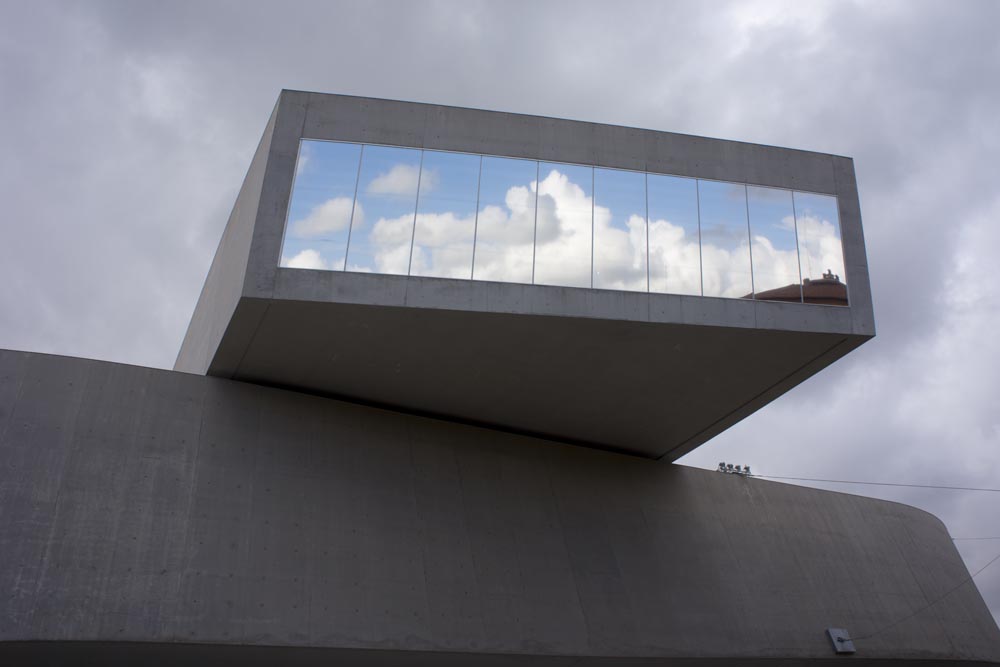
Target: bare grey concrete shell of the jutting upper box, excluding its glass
{"type": "Point", "coordinates": [292, 328]}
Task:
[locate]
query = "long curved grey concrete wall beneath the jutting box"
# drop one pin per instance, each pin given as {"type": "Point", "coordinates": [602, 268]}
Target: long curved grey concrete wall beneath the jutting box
{"type": "Point", "coordinates": [164, 508]}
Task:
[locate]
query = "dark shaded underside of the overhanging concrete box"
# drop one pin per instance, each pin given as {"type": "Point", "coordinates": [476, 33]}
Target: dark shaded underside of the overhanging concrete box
{"type": "Point", "coordinates": [645, 388]}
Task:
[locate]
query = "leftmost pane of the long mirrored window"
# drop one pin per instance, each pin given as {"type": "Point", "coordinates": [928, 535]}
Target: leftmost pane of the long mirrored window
{"type": "Point", "coordinates": [319, 214]}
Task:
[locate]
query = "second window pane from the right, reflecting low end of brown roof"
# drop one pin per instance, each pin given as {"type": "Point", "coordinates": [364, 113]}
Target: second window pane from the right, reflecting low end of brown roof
{"type": "Point", "coordinates": [772, 239]}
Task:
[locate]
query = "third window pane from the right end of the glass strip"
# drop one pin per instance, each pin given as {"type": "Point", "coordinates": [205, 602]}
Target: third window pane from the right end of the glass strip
{"type": "Point", "coordinates": [725, 241]}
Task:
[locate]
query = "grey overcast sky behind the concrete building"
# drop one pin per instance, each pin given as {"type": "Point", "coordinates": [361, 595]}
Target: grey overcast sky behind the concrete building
{"type": "Point", "coordinates": [126, 129]}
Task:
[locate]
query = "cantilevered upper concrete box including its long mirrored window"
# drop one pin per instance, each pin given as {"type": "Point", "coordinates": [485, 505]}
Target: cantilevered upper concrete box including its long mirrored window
{"type": "Point", "coordinates": [645, 366]}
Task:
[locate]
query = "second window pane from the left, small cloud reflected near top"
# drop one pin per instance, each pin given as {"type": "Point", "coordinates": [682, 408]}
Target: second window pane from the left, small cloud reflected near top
{"type": "Point", "coordinates": [382, 231]}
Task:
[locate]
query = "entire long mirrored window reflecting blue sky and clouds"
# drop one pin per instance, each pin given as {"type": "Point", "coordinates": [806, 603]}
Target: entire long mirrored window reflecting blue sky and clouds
{"type": "Point", "coordinates": [405, 211]}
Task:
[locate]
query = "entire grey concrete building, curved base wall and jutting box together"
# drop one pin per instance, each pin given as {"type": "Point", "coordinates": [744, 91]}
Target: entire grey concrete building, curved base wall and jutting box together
{"type": "Point", "coordinates": [426, 410]}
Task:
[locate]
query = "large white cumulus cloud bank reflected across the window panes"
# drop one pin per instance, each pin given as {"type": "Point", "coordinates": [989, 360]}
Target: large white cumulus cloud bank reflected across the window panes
{"type": "Point", "coordinates": [506, 235]}
